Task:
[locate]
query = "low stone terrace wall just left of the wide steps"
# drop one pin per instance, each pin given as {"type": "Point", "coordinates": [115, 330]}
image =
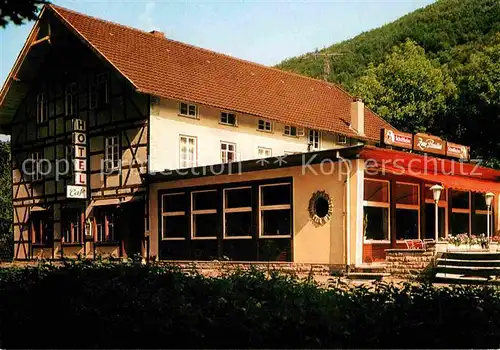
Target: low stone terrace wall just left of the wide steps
{"type": "Point", "coordinates": [408, 262]}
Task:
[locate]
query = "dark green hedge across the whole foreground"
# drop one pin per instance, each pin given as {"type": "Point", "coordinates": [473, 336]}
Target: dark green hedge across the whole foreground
{"type": "Point", "coordinates": [117, 305]}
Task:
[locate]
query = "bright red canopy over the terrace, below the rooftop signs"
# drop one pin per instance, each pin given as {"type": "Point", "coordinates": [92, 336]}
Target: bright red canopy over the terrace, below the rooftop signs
{"type": "Point", "coordinates": [449, 173]}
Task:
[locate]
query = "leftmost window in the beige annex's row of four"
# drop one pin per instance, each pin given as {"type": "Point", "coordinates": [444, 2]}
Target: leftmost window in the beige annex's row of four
{"type": "Point", "coordinates": [174, 220]}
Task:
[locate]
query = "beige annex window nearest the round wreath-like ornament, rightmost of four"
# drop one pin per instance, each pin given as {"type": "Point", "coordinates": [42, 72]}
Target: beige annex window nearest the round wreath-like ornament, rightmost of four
{"type": "Point", "coordinates": [275, 210]}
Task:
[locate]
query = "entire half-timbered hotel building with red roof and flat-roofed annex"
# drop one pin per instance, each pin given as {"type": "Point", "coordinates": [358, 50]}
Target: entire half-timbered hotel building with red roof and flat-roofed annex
{"type": "Point", "coordinates": [126, 142]}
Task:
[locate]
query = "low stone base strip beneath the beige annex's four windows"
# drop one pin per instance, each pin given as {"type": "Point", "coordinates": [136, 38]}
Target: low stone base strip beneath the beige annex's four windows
{"type": "Point", "coordinates": [215, 268]}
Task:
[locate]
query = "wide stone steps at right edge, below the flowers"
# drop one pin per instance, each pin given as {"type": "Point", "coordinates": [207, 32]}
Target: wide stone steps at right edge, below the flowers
{"type": "Point", "coordinates": [468, 268]}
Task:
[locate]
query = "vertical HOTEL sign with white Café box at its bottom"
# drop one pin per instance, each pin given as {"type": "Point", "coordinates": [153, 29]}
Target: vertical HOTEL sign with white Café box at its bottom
{"type": "Point", "coordinates": [79, 159]}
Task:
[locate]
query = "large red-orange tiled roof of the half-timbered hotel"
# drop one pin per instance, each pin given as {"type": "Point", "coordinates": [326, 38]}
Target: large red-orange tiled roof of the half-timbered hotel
{"type": "Point", "coordinates": [170, 69]}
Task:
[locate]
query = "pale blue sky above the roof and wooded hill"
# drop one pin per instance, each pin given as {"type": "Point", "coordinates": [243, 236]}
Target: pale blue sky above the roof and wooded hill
{"type": "Point", "coordinates": [261, 31]}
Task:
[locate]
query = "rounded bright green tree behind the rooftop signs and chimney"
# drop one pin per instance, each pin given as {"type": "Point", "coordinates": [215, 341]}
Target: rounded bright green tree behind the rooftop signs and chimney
{"type": "Point", "coordinates": [407, 89]}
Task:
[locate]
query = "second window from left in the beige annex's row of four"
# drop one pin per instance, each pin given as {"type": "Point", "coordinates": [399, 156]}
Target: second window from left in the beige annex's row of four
{"type": "Point", "coordinates": [204, 217]}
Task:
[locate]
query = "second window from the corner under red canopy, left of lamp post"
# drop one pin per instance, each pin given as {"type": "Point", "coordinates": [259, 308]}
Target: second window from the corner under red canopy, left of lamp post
{"type": "Point", "coordinates": [407, 211]}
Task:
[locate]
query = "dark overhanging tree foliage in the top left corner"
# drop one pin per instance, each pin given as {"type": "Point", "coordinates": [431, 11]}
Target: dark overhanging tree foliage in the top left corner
{"type": "Point", "coordinates": [16, 11]}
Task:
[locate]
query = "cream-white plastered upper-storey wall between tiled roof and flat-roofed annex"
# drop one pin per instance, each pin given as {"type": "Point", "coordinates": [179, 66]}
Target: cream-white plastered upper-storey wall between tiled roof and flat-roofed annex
{"type": "Point", "coordinates": [167, 126]}
